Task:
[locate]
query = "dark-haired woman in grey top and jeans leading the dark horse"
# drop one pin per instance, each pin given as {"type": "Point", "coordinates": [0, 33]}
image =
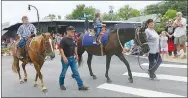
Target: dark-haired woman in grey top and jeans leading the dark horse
{"type": "Point", "coordinates": [154, 55]}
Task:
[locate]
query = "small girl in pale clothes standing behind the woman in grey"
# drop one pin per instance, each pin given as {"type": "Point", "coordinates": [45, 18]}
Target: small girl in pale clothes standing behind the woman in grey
{"type": "Point", "coordinates": [164, 44]}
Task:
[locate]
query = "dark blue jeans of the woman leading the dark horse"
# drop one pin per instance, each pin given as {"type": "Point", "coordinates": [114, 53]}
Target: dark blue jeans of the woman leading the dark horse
{"type": "Point", "coordinates": [154, 60]}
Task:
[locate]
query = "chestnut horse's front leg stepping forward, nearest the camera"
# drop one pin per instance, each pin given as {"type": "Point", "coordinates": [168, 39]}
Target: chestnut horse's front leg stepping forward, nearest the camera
{"type": "Point", "coordinates": [37, 68]}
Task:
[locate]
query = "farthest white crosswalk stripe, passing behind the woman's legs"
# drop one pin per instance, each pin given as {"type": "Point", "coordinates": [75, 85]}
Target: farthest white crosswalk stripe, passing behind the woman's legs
{"type": "Point", "coordinates": [168, 65]}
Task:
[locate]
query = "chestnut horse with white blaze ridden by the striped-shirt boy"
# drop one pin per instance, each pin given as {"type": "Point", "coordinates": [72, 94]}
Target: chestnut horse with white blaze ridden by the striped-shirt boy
{"type": "Point", "coordinates": [37, 48]}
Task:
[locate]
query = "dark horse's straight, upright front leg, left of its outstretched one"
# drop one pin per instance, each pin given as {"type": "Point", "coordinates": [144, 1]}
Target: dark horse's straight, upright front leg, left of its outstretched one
{"type": "Point", "coordinates": [108, 59]}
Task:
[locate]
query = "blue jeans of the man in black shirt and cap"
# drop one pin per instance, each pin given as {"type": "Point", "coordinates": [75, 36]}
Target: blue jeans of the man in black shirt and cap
{"type": "Point", "coordinates": [72, 64]}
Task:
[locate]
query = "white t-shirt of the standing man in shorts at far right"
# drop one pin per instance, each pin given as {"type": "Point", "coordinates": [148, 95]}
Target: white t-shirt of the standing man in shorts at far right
{"type": "Point", "coordinates": [180, 31]}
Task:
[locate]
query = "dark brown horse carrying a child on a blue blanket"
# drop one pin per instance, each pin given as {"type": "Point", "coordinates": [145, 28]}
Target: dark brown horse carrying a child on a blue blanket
{"type": "Point", "coordinates": [114, 46]}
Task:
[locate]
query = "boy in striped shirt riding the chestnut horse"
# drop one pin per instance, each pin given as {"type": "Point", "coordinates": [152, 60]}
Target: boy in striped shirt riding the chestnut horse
{"type": "Point", "coordinates": [25, 31]}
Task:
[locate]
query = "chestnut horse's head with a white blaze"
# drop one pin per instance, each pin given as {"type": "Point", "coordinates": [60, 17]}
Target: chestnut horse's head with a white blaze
{"type": "Point", "coordinates": [48, 45]}
